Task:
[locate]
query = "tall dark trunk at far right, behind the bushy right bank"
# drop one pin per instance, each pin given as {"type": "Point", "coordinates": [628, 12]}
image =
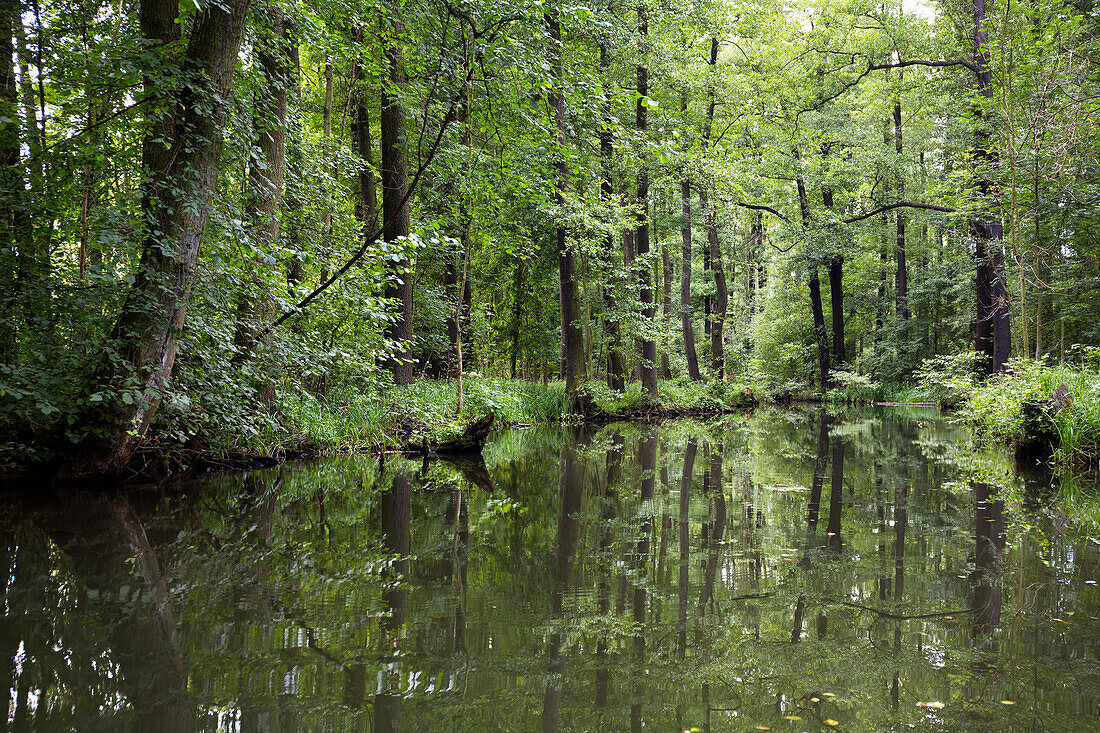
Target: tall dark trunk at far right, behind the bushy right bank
{"type": "Point", "coordinates": [993, 334]}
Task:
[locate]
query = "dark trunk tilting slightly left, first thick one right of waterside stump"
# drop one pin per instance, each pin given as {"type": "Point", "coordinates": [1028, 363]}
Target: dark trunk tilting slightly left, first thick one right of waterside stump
{"type": "Point", "coordinates": [573, 336]}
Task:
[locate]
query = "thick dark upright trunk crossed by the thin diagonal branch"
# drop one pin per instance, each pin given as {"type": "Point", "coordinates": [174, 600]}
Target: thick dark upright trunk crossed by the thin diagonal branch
{"type": "Point", "coordinates": [395, 179]}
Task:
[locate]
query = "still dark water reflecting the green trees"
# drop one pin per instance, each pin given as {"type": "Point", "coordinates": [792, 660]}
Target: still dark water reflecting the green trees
{"type": "Point", "coordinates": [782, 572]}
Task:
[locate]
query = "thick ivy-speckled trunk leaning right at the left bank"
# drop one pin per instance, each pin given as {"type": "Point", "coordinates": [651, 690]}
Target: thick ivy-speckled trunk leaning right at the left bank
{"type": "Point", "coordinates": [142, 346]}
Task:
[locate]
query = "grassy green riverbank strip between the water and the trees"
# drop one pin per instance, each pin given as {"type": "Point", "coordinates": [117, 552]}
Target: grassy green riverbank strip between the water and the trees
{"type": "Point", "coordinates": [409, 419]}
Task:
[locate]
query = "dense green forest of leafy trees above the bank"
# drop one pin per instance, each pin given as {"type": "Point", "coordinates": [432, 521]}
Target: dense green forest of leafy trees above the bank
{"type": "Point", "coordinates": [222, 221]}
